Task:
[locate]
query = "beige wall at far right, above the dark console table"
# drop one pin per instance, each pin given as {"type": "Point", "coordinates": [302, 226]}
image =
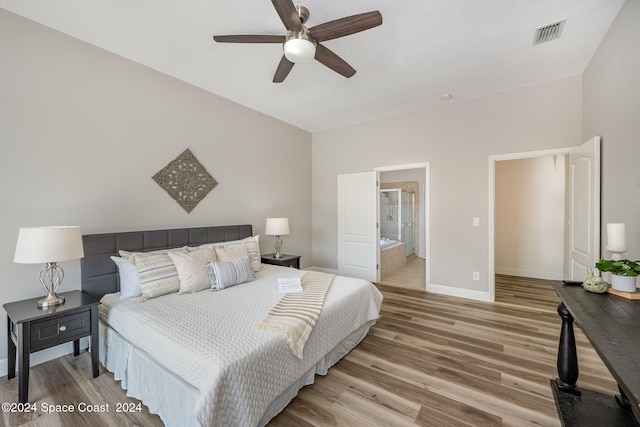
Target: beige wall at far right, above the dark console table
{"type": "Point", "coordinates": [612, 110]}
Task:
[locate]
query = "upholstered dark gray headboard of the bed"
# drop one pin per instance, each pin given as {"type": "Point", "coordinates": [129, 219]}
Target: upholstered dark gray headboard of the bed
{"type": "Point", "coordinates": [99, 274]}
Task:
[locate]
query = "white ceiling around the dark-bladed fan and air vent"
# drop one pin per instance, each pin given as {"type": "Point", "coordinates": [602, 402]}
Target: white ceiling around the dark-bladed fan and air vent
{"type": "Point", "coordinates": [468, 48]}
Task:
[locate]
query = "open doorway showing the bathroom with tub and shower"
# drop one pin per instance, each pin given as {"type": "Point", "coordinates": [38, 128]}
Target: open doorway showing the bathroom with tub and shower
{"type": "Point", "coordinates": [403, 230]}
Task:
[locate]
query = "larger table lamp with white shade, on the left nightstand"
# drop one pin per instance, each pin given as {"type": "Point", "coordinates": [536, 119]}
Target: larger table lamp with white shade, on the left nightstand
{"type": "Point", "coordinates": [49, 245]}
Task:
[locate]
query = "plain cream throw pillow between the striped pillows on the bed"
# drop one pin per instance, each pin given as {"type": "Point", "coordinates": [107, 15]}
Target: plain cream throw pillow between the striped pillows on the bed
{"type": "Point", "coordinates": [191, 267]}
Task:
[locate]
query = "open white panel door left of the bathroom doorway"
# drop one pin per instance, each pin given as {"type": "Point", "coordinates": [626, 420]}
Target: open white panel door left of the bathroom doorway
{"type": "Point", "coordinates": [358, 236]}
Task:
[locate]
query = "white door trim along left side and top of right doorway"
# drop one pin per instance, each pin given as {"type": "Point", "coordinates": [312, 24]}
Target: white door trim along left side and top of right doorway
{"type": "Point", "coordinates": [492, 200]}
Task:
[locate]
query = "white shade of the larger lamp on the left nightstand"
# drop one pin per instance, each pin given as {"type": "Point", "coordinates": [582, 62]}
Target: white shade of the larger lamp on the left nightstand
{"type": "Point", "coordinates": [38, 245]}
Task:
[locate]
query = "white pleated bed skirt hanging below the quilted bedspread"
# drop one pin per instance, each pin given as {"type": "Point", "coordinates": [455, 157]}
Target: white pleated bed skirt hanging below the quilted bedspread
{"type": "Point", "coordinates": [172, 398]}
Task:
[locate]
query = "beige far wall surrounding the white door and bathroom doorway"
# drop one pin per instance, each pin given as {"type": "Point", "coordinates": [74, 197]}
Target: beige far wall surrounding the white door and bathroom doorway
{"type": "Point", "coordinates": [457, 139]}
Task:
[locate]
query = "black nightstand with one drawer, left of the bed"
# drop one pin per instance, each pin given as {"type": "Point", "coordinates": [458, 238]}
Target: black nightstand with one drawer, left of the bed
{"type": "Point", "coordinates": [31, 329]}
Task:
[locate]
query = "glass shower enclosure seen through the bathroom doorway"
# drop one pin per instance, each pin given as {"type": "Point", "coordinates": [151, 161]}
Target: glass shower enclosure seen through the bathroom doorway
{"type": "Point", "coordinates": [397, 217]}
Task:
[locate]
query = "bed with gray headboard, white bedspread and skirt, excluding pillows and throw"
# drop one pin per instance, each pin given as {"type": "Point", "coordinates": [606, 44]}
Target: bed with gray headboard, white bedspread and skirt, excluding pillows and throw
{"type": "Point", "coordinates": [199, 359]}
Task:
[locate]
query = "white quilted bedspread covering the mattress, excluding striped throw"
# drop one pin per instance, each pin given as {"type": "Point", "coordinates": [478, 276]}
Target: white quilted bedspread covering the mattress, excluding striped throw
{"type": "Point", "coordinates": [211, 340]}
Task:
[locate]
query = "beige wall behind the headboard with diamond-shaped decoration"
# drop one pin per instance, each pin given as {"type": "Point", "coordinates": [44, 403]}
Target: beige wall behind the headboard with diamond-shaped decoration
{"type": "Point", "coordinates": [82, 131]}
